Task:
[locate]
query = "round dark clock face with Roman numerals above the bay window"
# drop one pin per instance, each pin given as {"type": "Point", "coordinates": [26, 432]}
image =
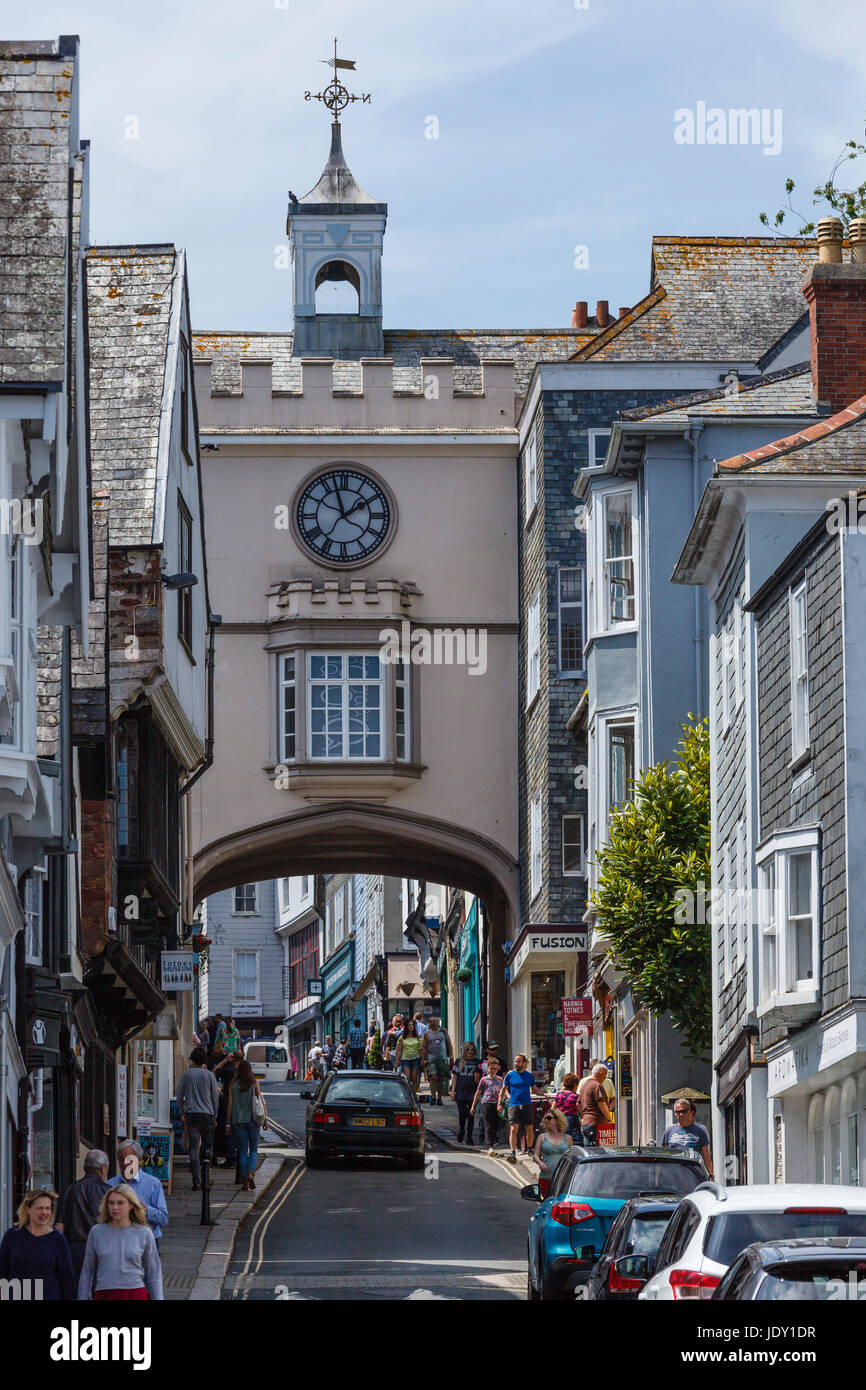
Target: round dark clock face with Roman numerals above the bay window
{"type": "Point", "coordinates": [344, 516]}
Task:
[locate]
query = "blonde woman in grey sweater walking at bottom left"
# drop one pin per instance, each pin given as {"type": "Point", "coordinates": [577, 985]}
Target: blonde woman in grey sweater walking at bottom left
{"type": "Point", "coordinates": [122, 1260]}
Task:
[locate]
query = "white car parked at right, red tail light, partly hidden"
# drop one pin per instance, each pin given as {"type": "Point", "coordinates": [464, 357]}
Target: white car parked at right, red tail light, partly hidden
{"type": "Point", "coordinates": [712, 1225]}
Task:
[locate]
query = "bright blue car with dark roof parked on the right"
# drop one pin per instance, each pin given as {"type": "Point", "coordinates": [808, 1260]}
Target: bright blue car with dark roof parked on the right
{"type": "Point", "coordinates": [587, 1191]}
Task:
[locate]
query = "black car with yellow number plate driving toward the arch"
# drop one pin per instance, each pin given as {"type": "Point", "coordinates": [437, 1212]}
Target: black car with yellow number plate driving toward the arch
{"type": "Point", "coordinates": [365, 1113]}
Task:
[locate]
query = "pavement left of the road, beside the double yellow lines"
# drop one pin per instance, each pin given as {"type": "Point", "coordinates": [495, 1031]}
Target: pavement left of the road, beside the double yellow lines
{"type": "Point", "coordinates": [197, 1259]}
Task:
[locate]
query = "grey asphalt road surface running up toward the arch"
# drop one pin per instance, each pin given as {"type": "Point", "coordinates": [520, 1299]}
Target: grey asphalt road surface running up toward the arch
{"type": "Point", "coordinates": [372, 1229]}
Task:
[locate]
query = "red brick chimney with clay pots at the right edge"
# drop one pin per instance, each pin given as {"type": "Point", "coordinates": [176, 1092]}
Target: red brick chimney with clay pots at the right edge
{"type": "Point", "coordinates": [836, 294]}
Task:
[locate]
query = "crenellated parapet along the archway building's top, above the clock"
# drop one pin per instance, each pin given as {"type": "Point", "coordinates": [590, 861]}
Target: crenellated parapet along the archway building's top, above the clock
{"type": "Point", "coordinates": [329, 395]}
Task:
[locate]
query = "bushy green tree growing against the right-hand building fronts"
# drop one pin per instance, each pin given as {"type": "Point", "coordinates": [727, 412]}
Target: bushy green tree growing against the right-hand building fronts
{"type": "Point", "coordinates": [658, 860]}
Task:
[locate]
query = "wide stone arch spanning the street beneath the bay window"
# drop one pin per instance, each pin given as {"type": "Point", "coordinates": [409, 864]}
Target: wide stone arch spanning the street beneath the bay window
{"type": "Point", "coordinates": [352, 837]}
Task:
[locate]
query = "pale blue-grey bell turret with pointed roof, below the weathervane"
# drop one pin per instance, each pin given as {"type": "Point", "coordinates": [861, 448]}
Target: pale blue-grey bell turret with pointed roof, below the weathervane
{"type": "Point", "coordinates": [336, 234]}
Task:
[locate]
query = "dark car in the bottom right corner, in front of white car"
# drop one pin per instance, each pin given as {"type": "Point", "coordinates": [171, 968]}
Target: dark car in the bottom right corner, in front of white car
{"type": "Point", "coordinates": [831, 1270]}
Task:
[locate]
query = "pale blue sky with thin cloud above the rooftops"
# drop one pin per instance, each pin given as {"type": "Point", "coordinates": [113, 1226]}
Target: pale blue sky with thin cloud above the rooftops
{"type": "Point", "coordinates": [555, 131]}
